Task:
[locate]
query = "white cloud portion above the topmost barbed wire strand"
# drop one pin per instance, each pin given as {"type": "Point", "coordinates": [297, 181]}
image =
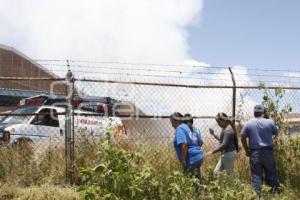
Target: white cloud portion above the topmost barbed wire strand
{"type": "Point", "coordinates": [131, 30]}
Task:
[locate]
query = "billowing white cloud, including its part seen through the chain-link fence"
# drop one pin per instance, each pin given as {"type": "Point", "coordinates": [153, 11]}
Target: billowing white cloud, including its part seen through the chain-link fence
{"type": "Point", "coordinates": [147, 31]}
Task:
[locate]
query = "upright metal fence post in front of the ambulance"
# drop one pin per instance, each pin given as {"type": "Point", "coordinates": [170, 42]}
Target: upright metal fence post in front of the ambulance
{"type": "Point", "coordinates": [69, 118]}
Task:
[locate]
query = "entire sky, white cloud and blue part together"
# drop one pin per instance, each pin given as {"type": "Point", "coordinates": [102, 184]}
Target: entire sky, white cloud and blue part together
{"type": "Point", "coordinates": [243, 34]}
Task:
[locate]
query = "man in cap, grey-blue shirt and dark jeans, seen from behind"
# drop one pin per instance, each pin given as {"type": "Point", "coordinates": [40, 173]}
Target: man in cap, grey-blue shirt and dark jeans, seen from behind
{"type": "Point", "coordinates": [260, 131]}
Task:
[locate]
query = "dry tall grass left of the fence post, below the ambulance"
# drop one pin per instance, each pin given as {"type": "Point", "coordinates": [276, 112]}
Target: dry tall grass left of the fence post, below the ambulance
{"type": "Point", "coordinates": [21, 167]}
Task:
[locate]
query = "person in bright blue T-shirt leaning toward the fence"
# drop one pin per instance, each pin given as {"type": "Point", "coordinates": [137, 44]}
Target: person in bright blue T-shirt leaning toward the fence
{"type": "Point", "coordinates": [187, 143]}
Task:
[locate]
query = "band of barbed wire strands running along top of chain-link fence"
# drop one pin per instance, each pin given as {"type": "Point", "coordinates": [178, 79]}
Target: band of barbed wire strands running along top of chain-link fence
{"type": "Point", "coordinates": [128, 69]}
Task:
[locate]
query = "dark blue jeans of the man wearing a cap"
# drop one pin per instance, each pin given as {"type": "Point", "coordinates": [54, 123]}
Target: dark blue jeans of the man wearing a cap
{"type": "Point", "coordinates": [263, 161]}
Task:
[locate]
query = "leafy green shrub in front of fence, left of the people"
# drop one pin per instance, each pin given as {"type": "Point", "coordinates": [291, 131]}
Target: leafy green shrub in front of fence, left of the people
{"type": "Point", "coordinates": [121, 175]}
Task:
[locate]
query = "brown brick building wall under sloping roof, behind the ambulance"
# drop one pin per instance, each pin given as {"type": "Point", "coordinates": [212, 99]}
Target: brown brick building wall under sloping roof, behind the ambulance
{"type": "Point", "coordinates": [15, 64]}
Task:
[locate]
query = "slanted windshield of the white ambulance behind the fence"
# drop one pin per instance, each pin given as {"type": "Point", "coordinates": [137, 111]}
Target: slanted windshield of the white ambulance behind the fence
{"type": "Point", "coordinates": [20, 119]}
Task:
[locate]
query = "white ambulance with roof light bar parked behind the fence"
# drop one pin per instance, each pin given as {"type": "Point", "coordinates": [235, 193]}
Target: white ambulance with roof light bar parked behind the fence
{"type": "Point", "coordinates": [42, 118]}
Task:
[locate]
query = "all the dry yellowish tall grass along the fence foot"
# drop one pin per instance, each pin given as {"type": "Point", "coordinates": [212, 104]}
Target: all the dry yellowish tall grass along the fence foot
{"type": "Point", "coordinates": [18, 171]}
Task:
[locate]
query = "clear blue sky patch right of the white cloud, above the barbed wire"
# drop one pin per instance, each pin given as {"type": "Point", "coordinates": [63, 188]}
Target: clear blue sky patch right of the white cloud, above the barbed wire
{"type": "Point", "coordinates": [252, 33]}
